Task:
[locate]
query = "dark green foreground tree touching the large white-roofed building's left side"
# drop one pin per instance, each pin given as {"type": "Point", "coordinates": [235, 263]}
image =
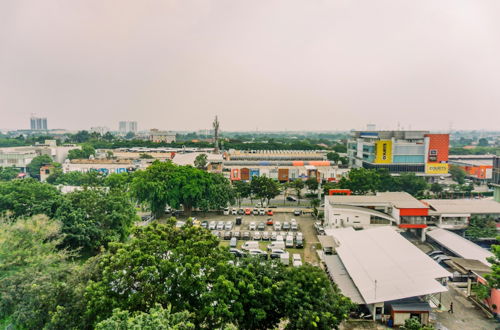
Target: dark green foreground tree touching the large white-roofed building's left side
{"type": "Point", "coordinates": [311, 300]}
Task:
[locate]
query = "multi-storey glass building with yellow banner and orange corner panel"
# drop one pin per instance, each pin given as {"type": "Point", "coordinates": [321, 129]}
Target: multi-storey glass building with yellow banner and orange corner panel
{"type": "Point", "coordinates": [400, 151]}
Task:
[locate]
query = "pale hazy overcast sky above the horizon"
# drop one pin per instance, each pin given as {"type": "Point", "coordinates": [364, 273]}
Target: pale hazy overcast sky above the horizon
{"type": "Point", "coordinates": [258, 64]}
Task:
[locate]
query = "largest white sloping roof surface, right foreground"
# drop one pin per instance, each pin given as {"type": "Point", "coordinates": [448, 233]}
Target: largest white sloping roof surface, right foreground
{"type": "Point", "coordinates": [385, 266]}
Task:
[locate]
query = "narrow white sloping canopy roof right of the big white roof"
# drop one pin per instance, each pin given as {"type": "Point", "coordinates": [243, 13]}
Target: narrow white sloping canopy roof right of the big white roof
{"type": "Point", "coordinates": [460, 246]}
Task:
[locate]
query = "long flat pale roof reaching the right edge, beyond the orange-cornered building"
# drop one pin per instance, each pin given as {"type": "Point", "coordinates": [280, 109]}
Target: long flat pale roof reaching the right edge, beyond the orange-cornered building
{"type": "Point", "coordinates": [461, 206]}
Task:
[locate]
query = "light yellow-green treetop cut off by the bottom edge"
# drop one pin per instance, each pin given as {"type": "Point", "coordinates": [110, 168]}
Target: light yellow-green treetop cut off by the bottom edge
{"type": "Point", "coordinates": [157, 318]}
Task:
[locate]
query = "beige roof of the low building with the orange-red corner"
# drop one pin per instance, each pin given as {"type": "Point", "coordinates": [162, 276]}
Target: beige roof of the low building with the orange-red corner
{"type": "Point", "coordinates": [397, 199]}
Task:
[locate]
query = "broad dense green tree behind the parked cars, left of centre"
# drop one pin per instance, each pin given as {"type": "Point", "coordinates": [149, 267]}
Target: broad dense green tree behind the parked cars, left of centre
{"type": "Point", "coordinates": [164, 183]}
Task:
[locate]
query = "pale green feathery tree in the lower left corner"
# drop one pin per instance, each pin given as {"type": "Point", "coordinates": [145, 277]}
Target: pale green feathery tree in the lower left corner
{"type": "Point", "coordinates": [34, 273]}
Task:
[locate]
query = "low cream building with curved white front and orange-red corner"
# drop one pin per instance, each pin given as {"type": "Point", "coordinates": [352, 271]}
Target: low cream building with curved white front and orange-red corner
{"type": "Point", "coordinates": [383, 209]}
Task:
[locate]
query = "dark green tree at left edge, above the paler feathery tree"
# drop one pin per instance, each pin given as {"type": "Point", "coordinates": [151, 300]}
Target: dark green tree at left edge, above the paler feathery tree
{"type": "Point", "coordinates": [28, 197]}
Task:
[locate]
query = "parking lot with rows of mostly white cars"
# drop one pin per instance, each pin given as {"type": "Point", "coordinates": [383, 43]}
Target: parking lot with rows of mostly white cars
{"type": "Point", "coordinates": [305, 226]}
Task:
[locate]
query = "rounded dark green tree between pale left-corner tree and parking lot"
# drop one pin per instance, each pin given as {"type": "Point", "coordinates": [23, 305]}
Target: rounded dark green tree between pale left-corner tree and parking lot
{"type": "Point", "coordinates": [92, 218]}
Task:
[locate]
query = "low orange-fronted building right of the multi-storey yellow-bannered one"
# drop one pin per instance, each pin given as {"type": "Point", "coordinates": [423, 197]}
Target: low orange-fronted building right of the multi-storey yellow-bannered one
{"type": "Point", "coordinates": [477, 167]}
